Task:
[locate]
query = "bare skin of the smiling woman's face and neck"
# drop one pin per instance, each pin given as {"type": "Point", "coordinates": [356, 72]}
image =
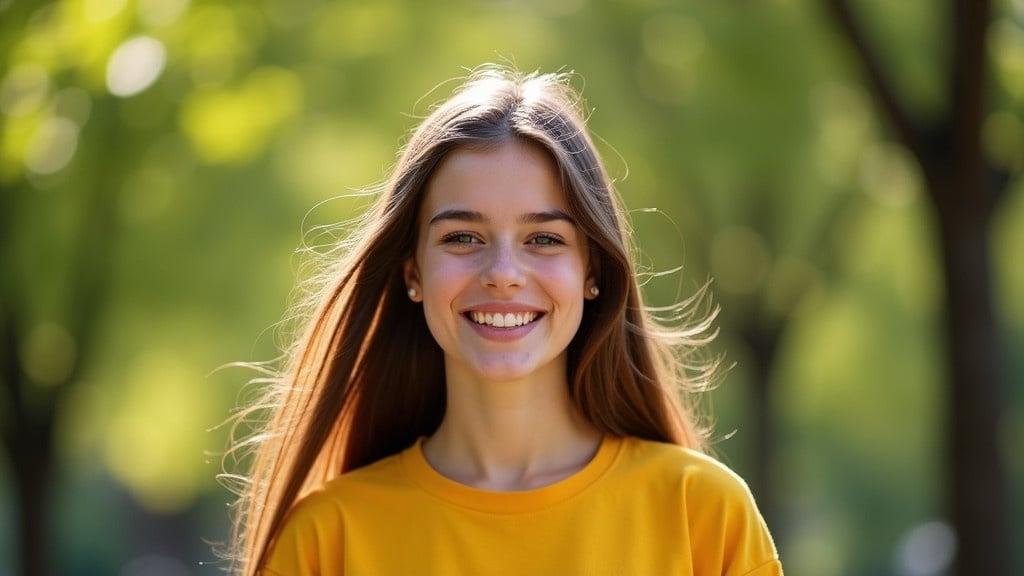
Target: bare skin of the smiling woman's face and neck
{"type": "Point", "coordinates": [509, 424]}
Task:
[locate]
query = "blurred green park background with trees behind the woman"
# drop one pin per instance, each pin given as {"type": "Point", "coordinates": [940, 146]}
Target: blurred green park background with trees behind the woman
{"type": "Point", "coordinates": [847, 174]}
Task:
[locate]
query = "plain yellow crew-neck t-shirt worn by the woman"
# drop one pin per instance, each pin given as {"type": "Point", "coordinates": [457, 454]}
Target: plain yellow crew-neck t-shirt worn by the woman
{"type": "Point", "coordinates": [637, 509]}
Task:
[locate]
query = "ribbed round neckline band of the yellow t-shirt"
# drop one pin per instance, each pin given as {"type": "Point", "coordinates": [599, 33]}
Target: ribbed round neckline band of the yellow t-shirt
{"type": "Point", "coordinates": [418, 469]}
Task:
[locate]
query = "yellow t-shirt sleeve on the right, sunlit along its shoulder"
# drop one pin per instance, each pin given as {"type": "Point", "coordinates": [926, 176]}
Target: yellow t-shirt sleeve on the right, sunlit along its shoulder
{"type": "Point", "coordinates": [729, 534]}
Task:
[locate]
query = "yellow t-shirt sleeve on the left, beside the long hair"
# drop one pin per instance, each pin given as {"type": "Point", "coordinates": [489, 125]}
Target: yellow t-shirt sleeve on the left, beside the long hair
{"type": "Point", "coordinates": [311, 543]}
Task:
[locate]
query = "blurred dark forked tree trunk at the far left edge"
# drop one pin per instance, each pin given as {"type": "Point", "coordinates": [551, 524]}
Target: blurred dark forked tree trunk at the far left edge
{"type": "Point", "coordinates": [28, 434]}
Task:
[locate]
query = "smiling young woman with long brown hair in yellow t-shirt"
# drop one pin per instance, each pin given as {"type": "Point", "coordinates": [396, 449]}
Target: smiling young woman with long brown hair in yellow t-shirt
{"type": "Point", "coordinates": [481, 389]}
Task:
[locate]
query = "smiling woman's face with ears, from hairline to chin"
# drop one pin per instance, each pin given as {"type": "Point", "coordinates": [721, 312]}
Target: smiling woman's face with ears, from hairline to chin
{"type": "Point", "coordinates": [500, 267]}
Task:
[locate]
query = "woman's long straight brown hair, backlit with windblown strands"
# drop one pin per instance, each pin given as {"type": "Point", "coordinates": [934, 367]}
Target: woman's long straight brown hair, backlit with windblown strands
{"type": "Point", "coordinates": [366, 379]}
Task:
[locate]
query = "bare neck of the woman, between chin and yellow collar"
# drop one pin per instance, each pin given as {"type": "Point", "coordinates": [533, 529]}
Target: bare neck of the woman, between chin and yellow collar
{"type": "Point", "coordinates": [510, 435]}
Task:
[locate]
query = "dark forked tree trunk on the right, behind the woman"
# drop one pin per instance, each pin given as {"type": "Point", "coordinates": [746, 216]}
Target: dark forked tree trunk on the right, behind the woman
{"type": "Point", "coordinates": [965, 196]}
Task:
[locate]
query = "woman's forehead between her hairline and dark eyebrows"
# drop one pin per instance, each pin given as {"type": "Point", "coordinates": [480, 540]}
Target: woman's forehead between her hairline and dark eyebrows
{"type": "Point", "coordinates": [513, 179]}
